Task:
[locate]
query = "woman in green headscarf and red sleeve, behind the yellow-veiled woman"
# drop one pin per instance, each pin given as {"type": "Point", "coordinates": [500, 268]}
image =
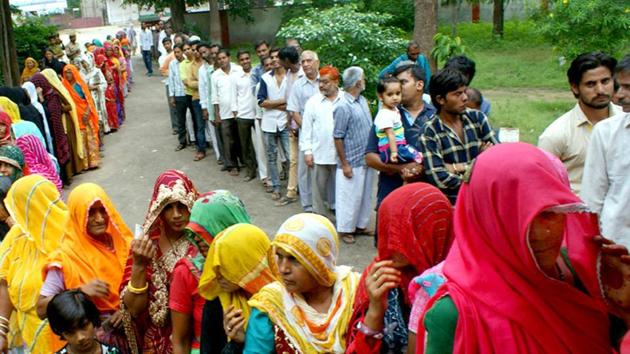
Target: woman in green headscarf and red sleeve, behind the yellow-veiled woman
{"type": "Point", "coordinates": [211, 214]}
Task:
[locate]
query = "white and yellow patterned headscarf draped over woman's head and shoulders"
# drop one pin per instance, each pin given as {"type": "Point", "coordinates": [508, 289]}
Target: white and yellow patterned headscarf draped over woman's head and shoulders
{"type": "Point", "coordinates": [313, 241]}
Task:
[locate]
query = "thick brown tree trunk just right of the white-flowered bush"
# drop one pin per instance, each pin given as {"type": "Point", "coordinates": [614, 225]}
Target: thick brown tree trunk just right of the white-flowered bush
{"type": "Point", "coordinates": [425, 26]}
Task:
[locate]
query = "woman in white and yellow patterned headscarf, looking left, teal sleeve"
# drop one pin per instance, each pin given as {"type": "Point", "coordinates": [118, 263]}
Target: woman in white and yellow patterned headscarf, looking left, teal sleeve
{"type": "Point", "coordinates": [308, 311]}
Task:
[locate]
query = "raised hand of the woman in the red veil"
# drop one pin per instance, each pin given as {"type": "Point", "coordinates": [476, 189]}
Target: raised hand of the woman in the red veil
{"type": "Point", "coordinates": [380, 280]}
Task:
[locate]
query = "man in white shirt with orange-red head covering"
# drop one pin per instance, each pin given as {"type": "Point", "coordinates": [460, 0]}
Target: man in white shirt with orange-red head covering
{"type": "Point", "coordinates": [316, 136]}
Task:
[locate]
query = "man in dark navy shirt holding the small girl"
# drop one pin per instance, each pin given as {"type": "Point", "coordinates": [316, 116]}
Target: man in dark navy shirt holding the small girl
{"type": "Point", "coordinates": [414, 113]}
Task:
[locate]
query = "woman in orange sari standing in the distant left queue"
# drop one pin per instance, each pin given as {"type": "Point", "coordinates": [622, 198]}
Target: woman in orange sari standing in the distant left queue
{"type": "Point", "coordinates": [86, 112]}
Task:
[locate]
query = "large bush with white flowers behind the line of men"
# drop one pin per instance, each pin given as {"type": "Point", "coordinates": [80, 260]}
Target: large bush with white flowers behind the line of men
{"type": "Point", "coordinates": [342, 36]}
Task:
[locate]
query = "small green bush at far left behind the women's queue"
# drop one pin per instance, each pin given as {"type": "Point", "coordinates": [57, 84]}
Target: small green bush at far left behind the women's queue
{"type": "Point", "coordinates": [31, 38]}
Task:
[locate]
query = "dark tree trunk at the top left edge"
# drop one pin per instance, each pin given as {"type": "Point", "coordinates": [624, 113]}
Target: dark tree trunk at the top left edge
{"type": "Point", "coordinates": [7, 46]}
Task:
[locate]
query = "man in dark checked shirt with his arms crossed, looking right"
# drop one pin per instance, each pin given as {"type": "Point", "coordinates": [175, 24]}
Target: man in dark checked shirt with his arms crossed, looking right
{"type": "Point", "coordinates": [455, 135]}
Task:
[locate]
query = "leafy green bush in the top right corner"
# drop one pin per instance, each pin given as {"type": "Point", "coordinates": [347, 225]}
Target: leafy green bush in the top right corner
{"type": "Point", "coordinates": [578, 26]}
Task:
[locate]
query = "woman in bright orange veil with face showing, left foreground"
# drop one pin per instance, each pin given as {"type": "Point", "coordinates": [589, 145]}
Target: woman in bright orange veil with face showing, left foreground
{"type": "Point", "coordinates": [91, 258]}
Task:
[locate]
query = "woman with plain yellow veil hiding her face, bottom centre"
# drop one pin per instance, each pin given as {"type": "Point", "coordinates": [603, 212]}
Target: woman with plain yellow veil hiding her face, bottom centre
{"type": "Point", "coordinates": [237, 267]}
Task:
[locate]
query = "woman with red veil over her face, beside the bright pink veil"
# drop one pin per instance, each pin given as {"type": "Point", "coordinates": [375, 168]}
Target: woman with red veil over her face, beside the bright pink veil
{"type": "Point", "coordinates": [411, 239]}
